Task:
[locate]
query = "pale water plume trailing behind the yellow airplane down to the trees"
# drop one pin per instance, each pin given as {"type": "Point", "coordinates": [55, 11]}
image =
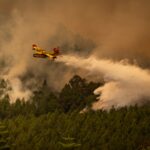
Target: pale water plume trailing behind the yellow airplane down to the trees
{"type": "Point", "coordinates": [126, 84]}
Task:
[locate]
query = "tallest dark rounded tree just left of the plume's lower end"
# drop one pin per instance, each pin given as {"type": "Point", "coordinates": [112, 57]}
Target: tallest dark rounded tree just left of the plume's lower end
{"type": "Point", "coordinates": [77, 94]}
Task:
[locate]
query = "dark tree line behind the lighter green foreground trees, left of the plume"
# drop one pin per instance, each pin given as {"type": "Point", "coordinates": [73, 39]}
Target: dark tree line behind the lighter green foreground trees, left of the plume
{"type": "Point", "coordinates": [76, 95]}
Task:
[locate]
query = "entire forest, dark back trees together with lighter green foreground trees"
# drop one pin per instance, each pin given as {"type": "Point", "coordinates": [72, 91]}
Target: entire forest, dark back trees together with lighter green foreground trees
{"type": "Point", "coordinates": [52, 120]}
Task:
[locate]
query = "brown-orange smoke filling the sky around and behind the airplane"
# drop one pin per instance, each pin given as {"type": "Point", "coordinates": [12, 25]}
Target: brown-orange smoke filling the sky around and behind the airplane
{"type": "Point", "coordinates": [119, 29]}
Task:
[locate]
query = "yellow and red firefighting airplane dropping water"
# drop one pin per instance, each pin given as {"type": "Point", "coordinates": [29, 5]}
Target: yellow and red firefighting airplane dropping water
{"type": "Point", "coordinates": [41, 53]}
